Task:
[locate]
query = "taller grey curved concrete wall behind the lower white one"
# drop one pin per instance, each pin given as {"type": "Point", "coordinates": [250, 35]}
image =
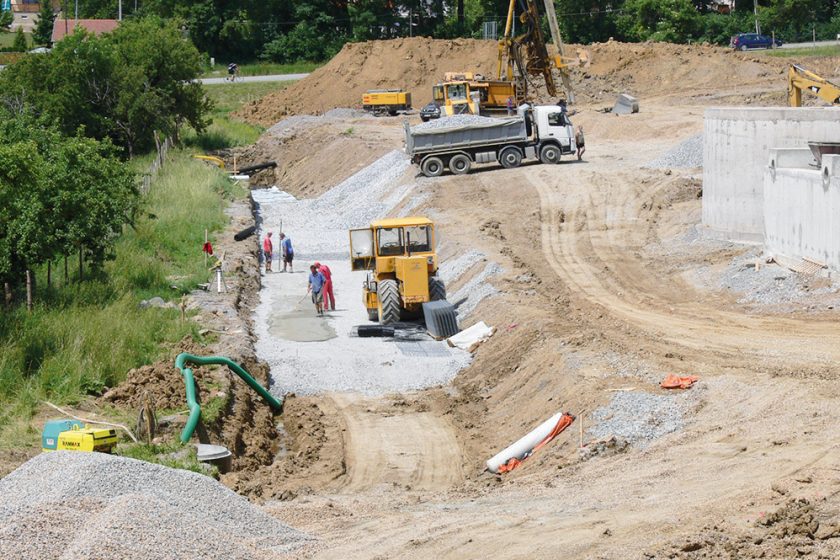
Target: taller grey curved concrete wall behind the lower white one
{"type": "Point", "coordinates": [736, 151]}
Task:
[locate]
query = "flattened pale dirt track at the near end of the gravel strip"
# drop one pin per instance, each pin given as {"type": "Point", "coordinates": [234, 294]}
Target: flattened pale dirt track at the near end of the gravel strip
{"type": "Point", "coordinates": [405, 448]}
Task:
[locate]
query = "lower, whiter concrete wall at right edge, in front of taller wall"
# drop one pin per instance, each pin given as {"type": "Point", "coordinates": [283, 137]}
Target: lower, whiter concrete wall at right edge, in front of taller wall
{"type": "Point", "coordinates": [802, 207]}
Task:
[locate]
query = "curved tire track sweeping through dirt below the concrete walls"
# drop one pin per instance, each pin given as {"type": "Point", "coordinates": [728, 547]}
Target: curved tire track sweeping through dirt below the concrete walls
{"type": "Point", "coordinates": [590, 254]}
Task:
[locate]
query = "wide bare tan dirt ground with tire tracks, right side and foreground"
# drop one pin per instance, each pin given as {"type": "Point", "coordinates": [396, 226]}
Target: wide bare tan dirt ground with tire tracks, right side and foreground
{"type": "Point", "coordinates": [598, 297]}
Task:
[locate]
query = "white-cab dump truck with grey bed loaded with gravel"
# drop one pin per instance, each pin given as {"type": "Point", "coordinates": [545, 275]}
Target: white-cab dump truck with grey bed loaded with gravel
{"type": "Point", "coordinates": [543, 132]}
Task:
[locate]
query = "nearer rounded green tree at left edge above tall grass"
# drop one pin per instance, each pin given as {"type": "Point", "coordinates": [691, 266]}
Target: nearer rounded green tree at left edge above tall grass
{"type": "Point", "coordinates": [59, 195]}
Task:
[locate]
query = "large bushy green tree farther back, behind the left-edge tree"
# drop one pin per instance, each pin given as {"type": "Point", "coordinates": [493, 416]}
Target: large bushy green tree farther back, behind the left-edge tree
{"type": "Point", "coordinates": [124, 85]}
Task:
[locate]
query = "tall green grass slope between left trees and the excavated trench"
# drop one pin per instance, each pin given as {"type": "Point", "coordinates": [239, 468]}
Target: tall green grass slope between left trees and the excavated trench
{"type": "Point", "coordinates": [82, 337]}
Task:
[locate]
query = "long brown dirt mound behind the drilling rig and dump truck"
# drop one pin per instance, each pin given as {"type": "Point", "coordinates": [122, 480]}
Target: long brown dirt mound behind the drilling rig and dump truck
{"type": "Point", "coordinates": [416, 64]}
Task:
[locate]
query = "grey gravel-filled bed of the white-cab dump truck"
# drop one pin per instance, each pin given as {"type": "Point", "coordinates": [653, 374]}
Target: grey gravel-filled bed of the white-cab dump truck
{"type": "Point", "coordinates": [476, 133]}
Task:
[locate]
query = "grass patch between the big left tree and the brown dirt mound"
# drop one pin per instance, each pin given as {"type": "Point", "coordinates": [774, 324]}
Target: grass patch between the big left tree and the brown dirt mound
{"type": "Point", "coordinates": [226, 132]}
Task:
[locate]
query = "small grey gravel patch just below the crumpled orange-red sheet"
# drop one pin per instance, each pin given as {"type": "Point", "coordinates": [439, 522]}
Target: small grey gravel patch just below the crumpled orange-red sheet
{"type": "Point", "coordinates": [640, 418]}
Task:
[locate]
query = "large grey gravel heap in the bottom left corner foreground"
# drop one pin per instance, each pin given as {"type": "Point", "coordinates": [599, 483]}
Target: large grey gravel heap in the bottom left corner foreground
{"type": "Point", "coordinates": [71, 505]}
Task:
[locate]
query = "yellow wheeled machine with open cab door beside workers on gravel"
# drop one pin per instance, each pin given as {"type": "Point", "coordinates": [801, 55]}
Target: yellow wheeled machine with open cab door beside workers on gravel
{"type": "Point", "coordinates": [399, 255]}
